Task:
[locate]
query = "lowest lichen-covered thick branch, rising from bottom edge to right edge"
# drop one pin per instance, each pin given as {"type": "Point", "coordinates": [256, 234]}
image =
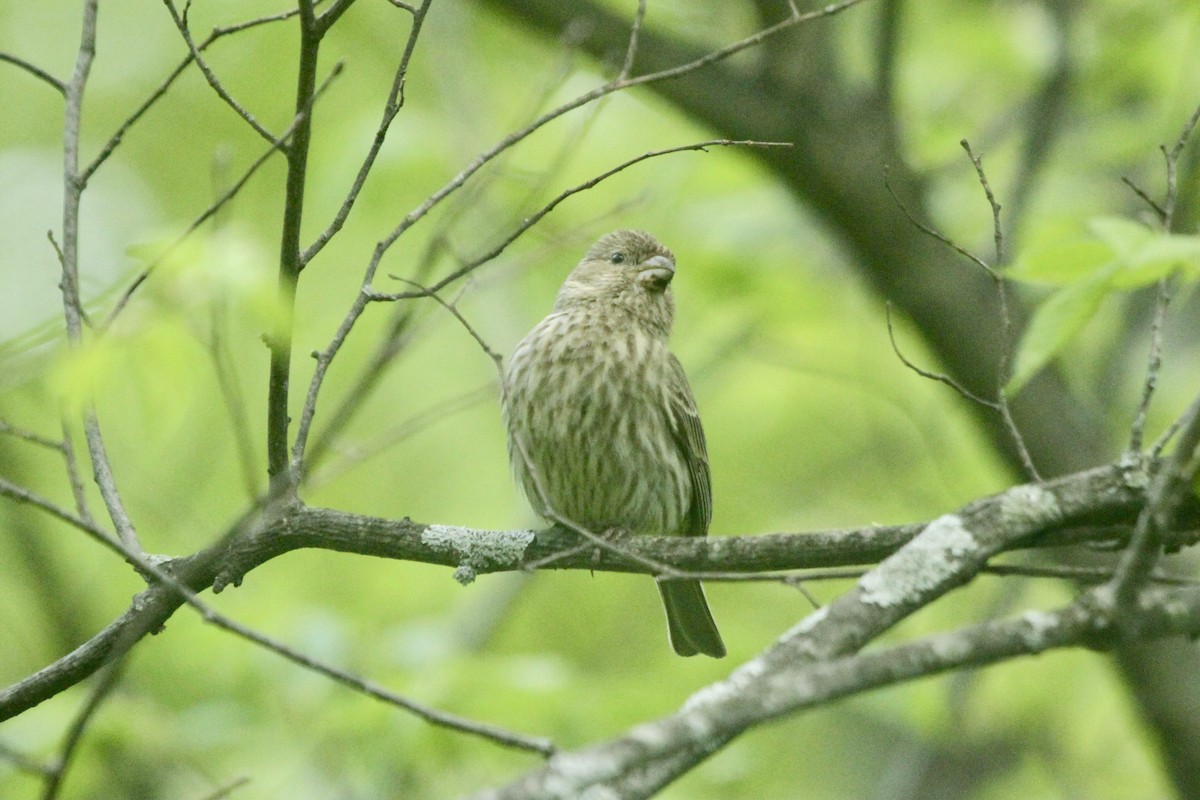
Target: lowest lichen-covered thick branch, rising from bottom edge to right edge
{"type": "Point", "coordinates": [652, 755]}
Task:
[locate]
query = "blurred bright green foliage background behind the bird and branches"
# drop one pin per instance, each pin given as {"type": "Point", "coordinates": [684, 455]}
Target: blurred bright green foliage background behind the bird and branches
{"type": "Point", "coordinates": [812, 420]}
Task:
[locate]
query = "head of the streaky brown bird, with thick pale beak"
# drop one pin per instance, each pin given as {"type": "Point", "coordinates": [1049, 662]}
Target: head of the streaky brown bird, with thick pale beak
{"type": "Point", "coordinates": [627, 270]}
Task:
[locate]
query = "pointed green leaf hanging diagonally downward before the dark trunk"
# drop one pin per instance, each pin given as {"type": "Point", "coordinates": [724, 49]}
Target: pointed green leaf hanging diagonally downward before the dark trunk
{"type": "Point", "coordinates": [1057, 322]}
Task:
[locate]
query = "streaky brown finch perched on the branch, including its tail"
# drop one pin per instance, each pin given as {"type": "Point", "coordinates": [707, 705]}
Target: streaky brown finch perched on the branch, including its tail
{"type": "Point", "coordinates": [603, 428]}
